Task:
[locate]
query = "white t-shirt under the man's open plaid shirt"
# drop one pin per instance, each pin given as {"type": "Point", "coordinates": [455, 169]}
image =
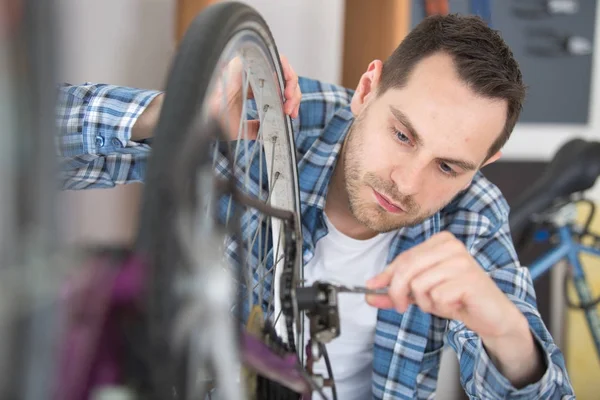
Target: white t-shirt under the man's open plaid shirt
{"type": "Point", "coordinates": [341, 259]}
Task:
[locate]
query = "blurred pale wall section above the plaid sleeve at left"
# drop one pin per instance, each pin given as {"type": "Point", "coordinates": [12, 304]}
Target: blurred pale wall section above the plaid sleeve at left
{"type": "Point", "coordinates": [123, 42]}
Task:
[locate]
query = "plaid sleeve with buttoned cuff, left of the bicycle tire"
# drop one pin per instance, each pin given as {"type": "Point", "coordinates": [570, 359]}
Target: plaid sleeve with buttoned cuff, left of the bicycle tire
{"type": "Point", "coordinates": [94, 135]}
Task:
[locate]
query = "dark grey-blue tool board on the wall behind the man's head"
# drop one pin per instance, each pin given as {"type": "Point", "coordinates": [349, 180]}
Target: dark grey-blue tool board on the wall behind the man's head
{"type": "Point", "coordinates": [553, 41]}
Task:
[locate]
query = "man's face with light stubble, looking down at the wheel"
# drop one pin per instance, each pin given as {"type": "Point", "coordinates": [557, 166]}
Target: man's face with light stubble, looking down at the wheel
{"type": "Point", "coordinates": [410, 151]}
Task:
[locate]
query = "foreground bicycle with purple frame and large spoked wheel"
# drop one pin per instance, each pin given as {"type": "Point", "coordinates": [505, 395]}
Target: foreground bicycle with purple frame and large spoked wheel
{"type": "Point", "coordinates": [220, 221]}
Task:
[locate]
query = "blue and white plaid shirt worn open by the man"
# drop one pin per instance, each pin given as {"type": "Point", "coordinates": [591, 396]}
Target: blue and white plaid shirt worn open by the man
{"type": "Point", "coordinates": [95, 151]}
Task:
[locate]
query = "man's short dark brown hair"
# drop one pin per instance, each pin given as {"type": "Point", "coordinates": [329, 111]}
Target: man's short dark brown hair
{"type": "Point", "coordinates": [482, 59]}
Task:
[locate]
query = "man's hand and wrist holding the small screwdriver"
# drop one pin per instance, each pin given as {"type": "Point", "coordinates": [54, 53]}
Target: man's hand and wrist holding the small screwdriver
{"type": "Point", "coordinates": [442, 278]}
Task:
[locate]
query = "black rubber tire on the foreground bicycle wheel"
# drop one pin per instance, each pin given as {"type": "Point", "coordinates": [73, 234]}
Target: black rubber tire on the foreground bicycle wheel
{"type": "Point", "coordinates": [186, 88]}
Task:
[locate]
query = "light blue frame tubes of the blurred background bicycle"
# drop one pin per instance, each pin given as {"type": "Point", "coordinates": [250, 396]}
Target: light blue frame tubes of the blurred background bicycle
{"type": "Point", "coordinates": [569, 249]}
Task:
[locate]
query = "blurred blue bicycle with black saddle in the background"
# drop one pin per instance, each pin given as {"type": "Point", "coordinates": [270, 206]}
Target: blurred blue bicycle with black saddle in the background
{"type": "Point", "coordinates": [547, 212]}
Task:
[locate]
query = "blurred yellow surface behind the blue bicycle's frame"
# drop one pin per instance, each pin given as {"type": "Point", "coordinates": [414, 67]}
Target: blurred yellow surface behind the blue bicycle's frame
{"type": "Point", "coordinates": [583, 362]}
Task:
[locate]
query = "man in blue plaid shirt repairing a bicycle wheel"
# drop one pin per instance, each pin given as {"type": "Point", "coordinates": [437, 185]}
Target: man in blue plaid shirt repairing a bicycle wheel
{"type": "Point", "coordinates": [398, 199]}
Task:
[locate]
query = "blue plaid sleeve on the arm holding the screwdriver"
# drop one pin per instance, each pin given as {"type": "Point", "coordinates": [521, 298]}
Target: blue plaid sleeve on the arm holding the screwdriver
{"type": "Point", "coordinates": [479, 376]}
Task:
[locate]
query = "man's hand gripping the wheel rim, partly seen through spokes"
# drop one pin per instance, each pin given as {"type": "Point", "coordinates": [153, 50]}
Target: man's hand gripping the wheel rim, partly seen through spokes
{"type": "Point", "coordinates": [227, 96]}
